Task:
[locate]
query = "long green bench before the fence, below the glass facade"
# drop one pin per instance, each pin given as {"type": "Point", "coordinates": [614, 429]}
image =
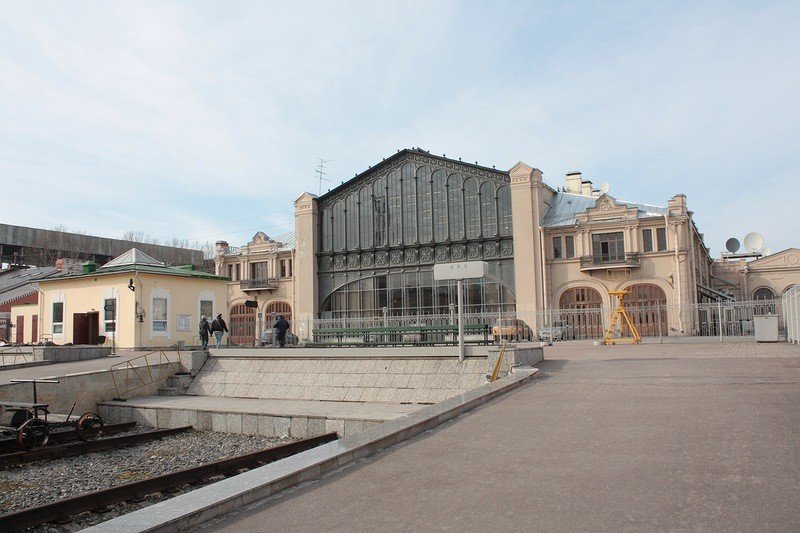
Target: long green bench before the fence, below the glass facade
{"type": "Point", "coordinates": [400, 336]}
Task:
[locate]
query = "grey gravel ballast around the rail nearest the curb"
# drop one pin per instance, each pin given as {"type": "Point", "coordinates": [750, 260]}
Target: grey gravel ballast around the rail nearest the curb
{"type": "Point", "coordinates": [35, 484]}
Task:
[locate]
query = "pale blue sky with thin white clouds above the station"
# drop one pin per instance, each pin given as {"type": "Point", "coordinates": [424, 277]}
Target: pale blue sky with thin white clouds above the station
{"type": "Point", "coordinates": [205, 120]}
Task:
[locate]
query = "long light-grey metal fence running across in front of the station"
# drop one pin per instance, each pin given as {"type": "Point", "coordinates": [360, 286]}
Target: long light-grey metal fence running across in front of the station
{"type": "Point", "coordinates": [716, 319]}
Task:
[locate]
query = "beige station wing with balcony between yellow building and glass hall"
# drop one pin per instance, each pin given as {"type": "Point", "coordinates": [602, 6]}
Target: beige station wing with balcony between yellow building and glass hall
{"type": "Point", "coordinates": [261, 272]}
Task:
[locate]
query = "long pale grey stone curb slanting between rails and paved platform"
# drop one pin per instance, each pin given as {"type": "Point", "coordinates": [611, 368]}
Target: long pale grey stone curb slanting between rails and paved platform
{"type": "Point", "coordinates": [206, 503]}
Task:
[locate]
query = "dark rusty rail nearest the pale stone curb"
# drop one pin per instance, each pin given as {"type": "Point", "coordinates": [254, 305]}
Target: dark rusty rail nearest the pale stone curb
{"type": "Point", "coordinates": [61, 510]}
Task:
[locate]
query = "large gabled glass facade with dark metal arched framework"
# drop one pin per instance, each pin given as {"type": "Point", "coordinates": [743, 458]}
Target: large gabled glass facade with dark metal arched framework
{"type": "Point", "coordinates": [381, 233]}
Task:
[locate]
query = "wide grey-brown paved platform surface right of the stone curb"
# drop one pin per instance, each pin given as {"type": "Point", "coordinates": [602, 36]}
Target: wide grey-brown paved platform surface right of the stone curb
{"type": "Point", "coordinates": [608, 439]}
